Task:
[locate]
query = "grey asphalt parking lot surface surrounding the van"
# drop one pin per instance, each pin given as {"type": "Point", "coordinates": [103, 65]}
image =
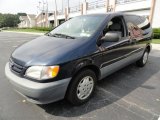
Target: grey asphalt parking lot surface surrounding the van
{"type": "Point", "coordinates": [130, 94]}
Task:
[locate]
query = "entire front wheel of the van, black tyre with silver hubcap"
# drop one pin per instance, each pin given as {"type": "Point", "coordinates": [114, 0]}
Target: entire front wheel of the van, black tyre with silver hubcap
{"type": "Point", "coordinates": [83, 83]}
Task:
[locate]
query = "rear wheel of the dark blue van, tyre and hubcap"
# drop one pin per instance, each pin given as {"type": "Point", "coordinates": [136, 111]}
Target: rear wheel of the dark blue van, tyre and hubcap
{"type": "Point", "coordinates": [143, 60]}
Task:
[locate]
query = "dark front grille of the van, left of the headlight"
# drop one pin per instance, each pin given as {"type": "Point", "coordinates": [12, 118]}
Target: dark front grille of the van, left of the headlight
{"type": "Point", "coordinates": [16, 68]}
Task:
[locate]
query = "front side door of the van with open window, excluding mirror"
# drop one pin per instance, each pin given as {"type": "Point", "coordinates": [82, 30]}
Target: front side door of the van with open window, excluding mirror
{"type": "Point", "coordinates": [115, 53]}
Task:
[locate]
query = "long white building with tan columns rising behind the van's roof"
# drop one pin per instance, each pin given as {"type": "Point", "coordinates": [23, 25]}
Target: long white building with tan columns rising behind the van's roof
{"type": "Point", "coordinates": [148, 8]}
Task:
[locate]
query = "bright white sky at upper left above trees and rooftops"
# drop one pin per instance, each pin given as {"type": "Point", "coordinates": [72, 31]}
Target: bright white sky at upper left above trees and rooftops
{"type": "Point", "coordinates": [27, 6]}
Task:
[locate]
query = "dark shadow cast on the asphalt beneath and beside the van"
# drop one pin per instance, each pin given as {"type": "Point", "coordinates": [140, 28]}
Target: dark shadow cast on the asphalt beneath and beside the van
{"type": "Point", "coordinates": [109, 90]}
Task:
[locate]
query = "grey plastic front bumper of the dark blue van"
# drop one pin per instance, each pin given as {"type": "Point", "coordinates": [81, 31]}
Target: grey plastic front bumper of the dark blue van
{"type": "Point", "coordinates": [39, 93]}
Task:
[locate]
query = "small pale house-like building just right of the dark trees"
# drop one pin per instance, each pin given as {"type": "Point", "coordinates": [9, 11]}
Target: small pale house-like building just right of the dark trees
{"type": "Point", "coordinates": [28, 21]}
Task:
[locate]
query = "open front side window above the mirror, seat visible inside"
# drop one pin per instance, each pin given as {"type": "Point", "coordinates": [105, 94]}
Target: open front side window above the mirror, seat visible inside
{"type": "Point", "coordinates": [116, 24]}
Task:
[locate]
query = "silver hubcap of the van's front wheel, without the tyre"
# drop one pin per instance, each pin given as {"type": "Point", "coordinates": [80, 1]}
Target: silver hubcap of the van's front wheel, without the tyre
{"type": "Point", "coordinates": [85, 87]}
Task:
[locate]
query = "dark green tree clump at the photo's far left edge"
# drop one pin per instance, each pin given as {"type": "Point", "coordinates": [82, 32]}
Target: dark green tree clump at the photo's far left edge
{"type": "Point", "coordinates": [9, 20]}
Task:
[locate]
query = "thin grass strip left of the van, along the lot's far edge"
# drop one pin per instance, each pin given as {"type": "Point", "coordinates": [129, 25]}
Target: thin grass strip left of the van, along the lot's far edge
{"type": "Point", "coordinates": [26, 30]}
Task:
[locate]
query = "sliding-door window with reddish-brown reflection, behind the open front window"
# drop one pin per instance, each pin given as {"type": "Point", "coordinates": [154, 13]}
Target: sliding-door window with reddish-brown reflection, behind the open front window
{"type": "Point", "coordinates": [134, 25]}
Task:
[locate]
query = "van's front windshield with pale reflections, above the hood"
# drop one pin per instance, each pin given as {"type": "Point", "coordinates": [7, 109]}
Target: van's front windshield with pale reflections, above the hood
{"type": "Point", "coordinates": [82, 26]}
